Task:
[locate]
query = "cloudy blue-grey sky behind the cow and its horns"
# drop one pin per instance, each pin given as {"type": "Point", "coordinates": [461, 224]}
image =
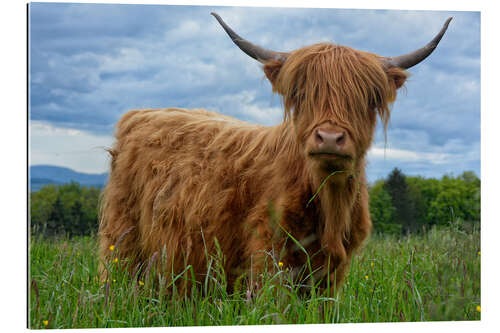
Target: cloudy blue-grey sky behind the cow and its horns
{"type": "Point", "coordinates": [90, 63]}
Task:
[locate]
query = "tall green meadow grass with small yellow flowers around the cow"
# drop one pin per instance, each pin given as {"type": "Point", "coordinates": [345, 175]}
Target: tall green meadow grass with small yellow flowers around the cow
{"type": "Point", "coordinates": [435, 276]}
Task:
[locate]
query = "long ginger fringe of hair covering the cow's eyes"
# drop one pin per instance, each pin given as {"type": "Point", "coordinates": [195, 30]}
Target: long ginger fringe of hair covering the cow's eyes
{"type": "Point", "coordinates": [325, 81]}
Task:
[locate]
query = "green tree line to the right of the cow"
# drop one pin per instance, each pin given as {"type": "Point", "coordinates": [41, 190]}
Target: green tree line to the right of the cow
{"type": "Point", "coordinates": [402, 204]}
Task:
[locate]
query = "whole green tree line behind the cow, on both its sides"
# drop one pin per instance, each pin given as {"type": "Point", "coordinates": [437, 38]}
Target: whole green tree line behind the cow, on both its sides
{"type": "Point", "coordinates": [399, 204]}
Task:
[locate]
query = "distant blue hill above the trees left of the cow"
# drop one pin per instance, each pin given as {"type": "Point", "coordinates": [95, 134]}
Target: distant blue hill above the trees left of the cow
{"type": "Point", "coordinates": [41, 175]}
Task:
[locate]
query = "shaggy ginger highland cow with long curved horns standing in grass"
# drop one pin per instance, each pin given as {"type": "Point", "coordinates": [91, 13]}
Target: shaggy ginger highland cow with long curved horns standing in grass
{"type": "Point", "coordinates": [187, 182]}
